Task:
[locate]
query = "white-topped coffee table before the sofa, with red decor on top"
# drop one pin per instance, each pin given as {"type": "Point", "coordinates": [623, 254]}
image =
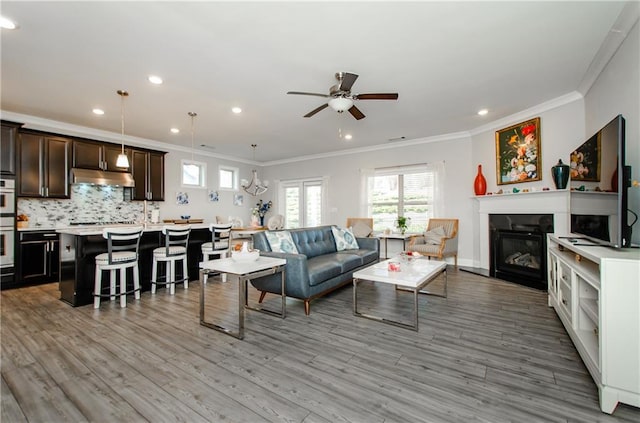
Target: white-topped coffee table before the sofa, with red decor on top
{"type": "Point", "coordinates": [412, 277]}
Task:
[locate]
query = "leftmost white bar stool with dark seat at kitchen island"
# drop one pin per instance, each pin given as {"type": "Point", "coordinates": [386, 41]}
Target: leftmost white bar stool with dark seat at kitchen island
{"type": "Point", "coordinates": [122, 254]}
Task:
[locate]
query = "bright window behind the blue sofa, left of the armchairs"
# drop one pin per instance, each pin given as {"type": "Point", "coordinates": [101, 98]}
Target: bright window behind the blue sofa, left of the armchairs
{"type": "Point", "coordinates": [302, 202]}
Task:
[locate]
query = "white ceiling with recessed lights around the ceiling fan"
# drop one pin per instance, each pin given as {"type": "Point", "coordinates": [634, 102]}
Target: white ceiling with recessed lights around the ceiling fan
{"type": "Point", "coordinates": [446, 60]}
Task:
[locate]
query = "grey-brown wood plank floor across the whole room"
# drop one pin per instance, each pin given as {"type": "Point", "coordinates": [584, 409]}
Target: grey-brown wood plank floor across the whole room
{"type": "Point", "coordinates": [492, 352]}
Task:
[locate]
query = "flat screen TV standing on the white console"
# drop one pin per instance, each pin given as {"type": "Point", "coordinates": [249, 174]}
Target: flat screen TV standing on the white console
{"type": "Point", "coordinates": [599, 187]}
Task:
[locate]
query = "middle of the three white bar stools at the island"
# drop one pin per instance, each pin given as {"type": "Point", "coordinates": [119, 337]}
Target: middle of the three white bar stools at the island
{"type": "Point", "coordinates": [175, 249]}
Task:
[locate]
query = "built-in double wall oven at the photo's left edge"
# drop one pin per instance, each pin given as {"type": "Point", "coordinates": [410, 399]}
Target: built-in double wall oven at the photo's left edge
{"type": "Point", "coordinates": [7, 232]}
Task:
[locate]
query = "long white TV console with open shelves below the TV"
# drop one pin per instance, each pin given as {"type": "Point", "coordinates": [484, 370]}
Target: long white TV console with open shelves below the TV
{"type": "Point", "coordinates": [596, 293]}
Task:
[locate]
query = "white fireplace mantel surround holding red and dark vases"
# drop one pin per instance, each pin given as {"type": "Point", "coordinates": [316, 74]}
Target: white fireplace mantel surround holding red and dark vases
{"type": "Point", "coordinates": [556, 202]}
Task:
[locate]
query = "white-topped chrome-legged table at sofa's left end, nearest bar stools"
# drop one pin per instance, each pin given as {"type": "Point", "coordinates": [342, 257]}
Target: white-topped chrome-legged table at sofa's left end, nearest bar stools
{"type": "Point", "coordinates": [242, 272]}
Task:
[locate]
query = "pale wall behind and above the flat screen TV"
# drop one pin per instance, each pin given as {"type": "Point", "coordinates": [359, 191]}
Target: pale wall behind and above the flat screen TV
{"type": "Point", "coordinates": [617, 91]}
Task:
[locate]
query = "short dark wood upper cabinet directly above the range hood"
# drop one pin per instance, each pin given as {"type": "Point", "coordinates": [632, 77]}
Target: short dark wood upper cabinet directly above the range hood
{"type": "Point", "coordinates": [97, 155]}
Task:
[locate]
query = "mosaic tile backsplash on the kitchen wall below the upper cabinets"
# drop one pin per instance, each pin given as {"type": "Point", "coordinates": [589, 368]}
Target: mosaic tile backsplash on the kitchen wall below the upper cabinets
{"type": "Point", "coordinates": [88, 203]}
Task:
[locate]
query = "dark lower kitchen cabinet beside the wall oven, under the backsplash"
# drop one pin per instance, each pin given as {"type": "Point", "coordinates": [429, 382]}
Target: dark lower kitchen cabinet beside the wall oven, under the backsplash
{"type": "Point", "coordinates": [38, 257]}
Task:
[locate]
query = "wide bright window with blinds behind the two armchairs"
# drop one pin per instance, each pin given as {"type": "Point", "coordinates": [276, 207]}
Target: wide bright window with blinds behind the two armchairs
{"type": "Point", "coordinates": [410, 191]}
